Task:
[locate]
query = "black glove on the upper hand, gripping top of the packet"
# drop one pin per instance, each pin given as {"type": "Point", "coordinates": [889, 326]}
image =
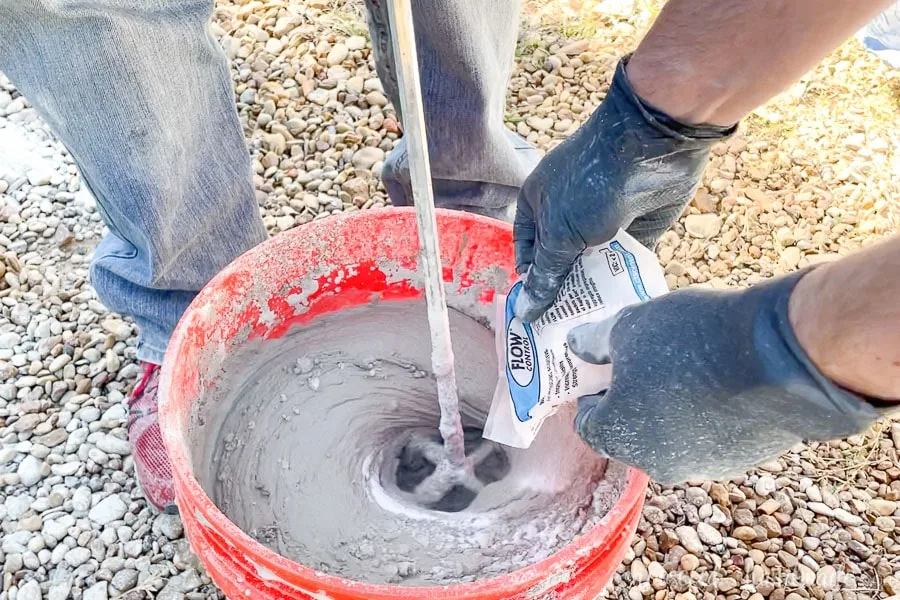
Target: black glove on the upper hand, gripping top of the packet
{"type": "Point", "coordinates": [630, 167]}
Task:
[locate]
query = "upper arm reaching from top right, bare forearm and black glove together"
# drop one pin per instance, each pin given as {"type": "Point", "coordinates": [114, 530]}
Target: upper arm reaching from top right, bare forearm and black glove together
{"type": "Point", "coordinates": [636, 162]}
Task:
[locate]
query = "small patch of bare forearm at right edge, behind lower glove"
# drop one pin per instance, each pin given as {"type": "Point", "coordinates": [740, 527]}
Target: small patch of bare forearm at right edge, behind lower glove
{"type": "Point", "coordinates": [847, 318]}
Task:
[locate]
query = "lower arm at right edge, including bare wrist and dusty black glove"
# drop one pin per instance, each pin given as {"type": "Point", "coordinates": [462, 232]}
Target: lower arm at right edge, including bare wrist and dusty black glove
{"type": "Point", "coordinates": [707, 384]}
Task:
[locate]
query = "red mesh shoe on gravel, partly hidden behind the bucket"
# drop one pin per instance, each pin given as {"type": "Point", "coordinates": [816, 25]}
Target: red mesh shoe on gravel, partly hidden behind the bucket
{"type": "Point", "coordinates": [151, 464]}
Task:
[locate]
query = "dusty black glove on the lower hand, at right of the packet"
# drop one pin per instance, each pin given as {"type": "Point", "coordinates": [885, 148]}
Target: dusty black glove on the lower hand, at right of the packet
{"type": "Point", "coordinates": [707, 384]}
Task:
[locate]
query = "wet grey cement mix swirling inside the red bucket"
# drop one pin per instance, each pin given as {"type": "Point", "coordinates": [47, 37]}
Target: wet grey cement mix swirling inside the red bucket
{"type": "Point", "coordinates": [298, 439]}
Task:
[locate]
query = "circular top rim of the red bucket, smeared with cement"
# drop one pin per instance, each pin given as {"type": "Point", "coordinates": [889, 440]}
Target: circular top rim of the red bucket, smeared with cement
{"type": "Point", "coordinates": [196, 505]}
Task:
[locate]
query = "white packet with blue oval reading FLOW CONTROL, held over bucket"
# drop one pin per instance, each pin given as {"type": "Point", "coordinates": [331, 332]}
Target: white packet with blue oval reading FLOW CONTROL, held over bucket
{"type": "Point", "coordinates": [538, 373]}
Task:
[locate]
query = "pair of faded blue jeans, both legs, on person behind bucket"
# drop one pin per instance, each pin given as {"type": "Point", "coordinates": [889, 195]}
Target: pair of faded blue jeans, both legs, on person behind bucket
{"type": "Point", "coordinates": [140, 93]}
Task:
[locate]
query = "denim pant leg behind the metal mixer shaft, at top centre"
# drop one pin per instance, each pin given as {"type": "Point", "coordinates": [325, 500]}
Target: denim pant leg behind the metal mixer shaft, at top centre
{"type": "Point", "coordinates": [466, 52]}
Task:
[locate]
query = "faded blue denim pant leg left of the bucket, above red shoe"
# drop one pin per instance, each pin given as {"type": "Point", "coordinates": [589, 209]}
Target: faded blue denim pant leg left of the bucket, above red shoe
{"type": "Point", "coordinates": [140, 93]}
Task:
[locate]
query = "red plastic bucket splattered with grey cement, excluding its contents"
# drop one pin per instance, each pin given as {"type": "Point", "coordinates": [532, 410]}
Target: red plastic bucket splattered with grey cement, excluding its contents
{"type": "Point", "coordinates": [339, 261]}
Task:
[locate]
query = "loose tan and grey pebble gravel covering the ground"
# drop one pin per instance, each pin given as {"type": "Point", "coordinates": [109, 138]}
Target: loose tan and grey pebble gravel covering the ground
{"type": "Point", "coordinates": [807, 179]}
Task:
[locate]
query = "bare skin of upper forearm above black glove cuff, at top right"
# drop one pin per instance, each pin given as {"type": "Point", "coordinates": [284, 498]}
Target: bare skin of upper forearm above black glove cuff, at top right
{"type": "Point", "coordinates": [714, 61]}
